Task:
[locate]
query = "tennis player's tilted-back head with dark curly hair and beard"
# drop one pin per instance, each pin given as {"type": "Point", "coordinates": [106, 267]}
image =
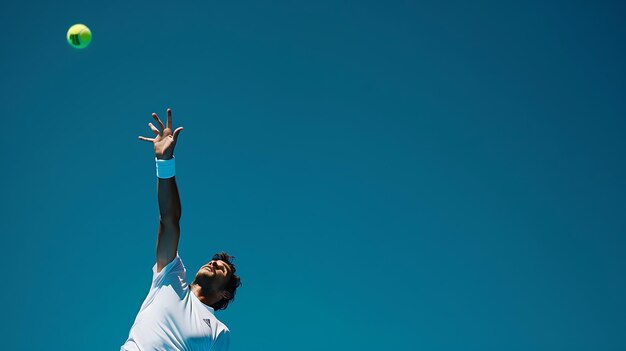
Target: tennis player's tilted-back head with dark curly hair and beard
{"type": "Point", "coordinates": [218, 279]}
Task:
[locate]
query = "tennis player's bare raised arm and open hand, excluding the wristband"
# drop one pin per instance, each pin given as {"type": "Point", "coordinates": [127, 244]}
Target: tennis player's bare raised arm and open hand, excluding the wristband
{"type": "Point", "coordinates": [167, 191]}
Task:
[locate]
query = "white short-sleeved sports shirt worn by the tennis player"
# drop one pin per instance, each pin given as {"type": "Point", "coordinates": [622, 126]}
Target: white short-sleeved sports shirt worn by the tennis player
{"type": "Point", "coordinates": [172, 317]}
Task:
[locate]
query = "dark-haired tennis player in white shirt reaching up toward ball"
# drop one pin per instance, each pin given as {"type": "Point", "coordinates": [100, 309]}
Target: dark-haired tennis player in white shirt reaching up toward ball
{"type": "Point", "coordinates": [175, 315]}
